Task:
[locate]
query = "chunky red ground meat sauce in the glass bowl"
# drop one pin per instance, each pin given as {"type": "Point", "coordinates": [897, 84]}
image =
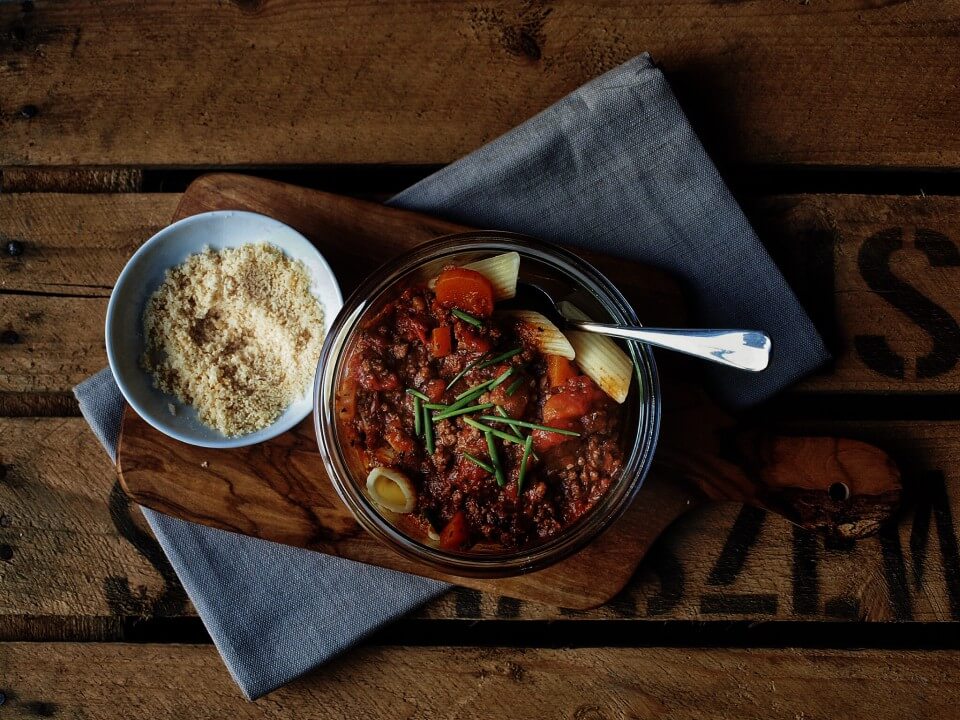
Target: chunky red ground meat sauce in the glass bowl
{"type": "Point", "coordinates": [418, 342]}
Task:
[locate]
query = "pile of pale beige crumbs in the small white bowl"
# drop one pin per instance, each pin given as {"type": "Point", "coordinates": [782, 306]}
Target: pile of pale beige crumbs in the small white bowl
{"type": "Point", "coordinates": [236, 334]}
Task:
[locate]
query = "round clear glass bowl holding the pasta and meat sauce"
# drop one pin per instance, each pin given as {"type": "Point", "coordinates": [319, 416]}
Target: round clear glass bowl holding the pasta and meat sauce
{"type": "Point", "coordinates": [550, 267]}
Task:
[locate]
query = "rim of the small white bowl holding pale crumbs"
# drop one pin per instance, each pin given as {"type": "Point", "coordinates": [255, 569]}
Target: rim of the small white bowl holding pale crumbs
{"type": "Point", "coordinates": [278, 427]}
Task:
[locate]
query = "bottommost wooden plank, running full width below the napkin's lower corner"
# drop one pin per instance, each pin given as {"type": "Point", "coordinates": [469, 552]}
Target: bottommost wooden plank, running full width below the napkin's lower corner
{"type": "Point", "coordinates": [105, 681]}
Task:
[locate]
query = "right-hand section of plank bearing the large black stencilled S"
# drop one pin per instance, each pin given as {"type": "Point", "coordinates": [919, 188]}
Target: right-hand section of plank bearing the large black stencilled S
{"type": "Point", "coordinates": [893, 264]}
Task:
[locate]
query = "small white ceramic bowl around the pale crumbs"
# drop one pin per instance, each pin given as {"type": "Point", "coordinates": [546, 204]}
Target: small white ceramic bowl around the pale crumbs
{"type": "Point", "coordinates": [144, 273]}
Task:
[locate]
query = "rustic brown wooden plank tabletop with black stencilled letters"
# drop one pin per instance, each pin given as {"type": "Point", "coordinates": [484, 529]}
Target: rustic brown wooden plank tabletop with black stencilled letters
{"type": "Point", "coordinates": [837, 125]}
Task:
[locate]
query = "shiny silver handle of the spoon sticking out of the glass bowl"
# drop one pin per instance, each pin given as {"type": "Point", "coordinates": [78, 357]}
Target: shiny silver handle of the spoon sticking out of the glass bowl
{"type": "Point", "coordinates": [741, 349]}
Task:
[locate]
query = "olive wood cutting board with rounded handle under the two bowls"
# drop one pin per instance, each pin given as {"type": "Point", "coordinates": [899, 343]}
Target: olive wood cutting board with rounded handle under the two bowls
{"type": "Point", "coordinates": [279, 490]}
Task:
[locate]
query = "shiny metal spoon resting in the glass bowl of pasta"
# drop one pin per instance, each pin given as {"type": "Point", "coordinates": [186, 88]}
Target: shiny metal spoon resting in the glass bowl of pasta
{"type": "Point", "coordinates": [741, 349]}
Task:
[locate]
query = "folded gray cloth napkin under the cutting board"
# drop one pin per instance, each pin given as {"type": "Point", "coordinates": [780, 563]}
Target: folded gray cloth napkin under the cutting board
{"type": "Point", "coordinates": [614, 166]}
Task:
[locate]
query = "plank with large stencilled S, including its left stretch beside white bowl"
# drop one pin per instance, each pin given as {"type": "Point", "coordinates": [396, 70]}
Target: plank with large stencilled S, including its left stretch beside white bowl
{"type": "Point", "coordinates": [883, 310]}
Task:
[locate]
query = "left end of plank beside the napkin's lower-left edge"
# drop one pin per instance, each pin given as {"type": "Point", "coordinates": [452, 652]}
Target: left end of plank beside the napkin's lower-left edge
{"type": "Point", "coordinates": [73, 549]}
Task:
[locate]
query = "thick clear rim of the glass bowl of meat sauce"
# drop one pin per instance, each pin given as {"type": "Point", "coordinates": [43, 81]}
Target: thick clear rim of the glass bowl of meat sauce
{"type": "Point", "coordinates": [521, 560]}
